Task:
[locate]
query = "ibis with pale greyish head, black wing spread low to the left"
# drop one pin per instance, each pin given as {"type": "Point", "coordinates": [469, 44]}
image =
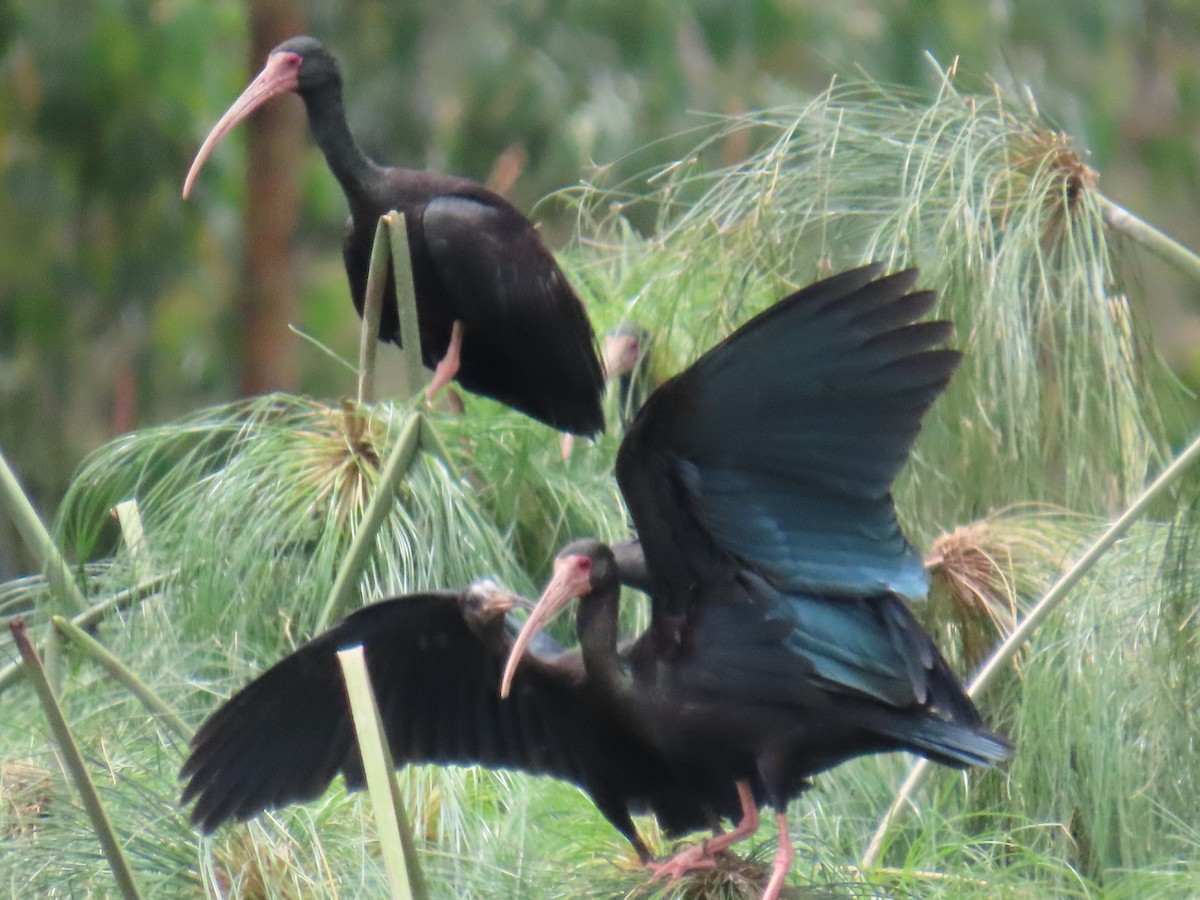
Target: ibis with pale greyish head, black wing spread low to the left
{"type": "Point", "coordinates": [435, 663]}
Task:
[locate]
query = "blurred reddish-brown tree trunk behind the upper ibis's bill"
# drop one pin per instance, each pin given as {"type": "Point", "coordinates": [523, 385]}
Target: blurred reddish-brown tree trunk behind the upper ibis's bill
{"type": "Point", "coordinates": [269, 299]}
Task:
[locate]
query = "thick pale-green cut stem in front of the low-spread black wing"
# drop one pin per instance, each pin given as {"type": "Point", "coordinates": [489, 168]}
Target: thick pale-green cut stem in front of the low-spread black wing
{"type": "Point", "coordinates": [397, 843]}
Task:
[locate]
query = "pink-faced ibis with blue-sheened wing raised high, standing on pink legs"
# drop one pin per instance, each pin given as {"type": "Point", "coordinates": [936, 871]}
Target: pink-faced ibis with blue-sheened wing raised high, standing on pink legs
{"type": "Point", "coordinates": [759, 482]}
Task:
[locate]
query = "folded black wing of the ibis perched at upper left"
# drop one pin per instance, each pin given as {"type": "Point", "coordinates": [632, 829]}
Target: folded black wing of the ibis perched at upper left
{"type": "Point", "coordinates": [527, 337]}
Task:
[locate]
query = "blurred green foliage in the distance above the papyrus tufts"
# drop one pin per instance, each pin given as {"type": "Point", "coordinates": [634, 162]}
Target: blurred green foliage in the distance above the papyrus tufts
{"type": "Point", "coordinates": [117, 297]}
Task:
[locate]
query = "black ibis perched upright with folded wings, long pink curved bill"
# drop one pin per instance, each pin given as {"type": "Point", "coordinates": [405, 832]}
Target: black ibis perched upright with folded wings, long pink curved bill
{"type": "Point", "coordinates": [495, 311]}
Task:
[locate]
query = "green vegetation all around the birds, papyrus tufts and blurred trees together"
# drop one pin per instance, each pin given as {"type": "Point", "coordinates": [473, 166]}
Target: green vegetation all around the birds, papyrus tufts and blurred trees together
{"type": "Point", "coordinates": [121, 319]}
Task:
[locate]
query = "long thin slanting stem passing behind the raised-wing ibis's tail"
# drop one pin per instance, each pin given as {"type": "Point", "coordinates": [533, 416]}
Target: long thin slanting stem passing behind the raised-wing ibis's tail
{"type": "Point", "coordinates": [1055, 596]}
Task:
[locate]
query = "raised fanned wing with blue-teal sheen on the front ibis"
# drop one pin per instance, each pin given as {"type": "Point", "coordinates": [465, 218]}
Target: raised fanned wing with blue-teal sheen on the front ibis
{"type": "Point", "coordinates": [779, 447]}
